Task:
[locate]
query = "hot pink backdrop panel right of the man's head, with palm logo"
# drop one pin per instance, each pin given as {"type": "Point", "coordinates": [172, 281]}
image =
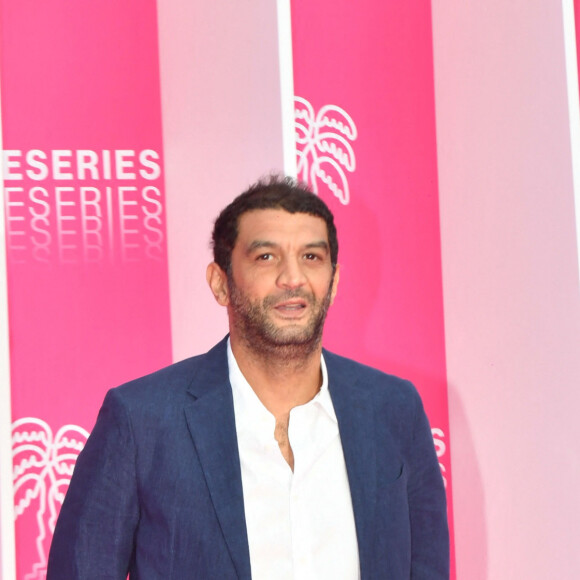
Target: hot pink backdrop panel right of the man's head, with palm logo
{"type": "Point", "coordinates": [363, 76]}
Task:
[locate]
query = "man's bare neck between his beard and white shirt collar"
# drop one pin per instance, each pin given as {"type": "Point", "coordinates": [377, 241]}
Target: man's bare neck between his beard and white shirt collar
{"type": "Point", "coordinates": [281, 381]}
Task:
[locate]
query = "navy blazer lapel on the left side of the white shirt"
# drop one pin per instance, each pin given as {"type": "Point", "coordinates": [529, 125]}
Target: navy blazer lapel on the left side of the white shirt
{"type": "Point", "coordinates": [211, 421]}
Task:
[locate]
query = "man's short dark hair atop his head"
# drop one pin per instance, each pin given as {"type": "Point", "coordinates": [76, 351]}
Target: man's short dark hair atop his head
{"type": "Point", "coordinates": [273, 192]}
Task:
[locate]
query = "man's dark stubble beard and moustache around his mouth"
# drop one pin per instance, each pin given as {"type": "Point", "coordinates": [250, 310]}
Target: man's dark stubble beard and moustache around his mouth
{"type": "Point", "coordinates": [292, 343]}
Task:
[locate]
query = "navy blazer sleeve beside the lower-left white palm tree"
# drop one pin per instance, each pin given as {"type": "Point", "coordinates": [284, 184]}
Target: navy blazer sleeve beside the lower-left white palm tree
{"type": "Point", "coordinates": [94, 533]}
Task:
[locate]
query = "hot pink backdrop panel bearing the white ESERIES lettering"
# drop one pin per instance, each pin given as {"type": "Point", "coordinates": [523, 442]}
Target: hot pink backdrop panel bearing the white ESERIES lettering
{"type": "Point", "coordinates": [86, 242]}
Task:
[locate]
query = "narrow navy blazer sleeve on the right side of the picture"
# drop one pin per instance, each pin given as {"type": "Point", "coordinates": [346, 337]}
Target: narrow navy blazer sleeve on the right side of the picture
{"type": "Point", "coordinates": [427, 505]}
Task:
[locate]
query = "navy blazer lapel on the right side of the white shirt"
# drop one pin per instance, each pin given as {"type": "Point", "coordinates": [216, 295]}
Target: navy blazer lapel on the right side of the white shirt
{"type": "Point", "coordinates": [356, 421]}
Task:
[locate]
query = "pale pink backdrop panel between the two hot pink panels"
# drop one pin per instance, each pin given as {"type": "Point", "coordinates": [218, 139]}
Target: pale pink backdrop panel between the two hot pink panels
{"type": "Point", "coordinates": [222, 130]}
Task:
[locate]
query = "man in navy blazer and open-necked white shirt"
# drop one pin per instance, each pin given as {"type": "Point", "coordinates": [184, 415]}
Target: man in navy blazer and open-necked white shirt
{"type": "Point", "coordinates": [267, 457]}
